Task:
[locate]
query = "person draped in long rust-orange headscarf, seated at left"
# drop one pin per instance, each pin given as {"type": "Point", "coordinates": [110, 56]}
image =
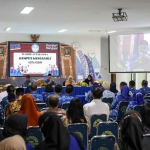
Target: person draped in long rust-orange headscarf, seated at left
{"type": "Point", "coordinates": [29, 107]}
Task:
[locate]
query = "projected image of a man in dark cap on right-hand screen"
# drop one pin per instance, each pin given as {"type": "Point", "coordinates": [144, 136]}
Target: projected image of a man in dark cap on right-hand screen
{"type": "Point", "coordinates": [129, 53]}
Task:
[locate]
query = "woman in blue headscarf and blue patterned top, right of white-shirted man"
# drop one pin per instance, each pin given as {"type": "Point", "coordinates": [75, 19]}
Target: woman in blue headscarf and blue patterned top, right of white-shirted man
{"type": "Point", "coordinates": [119, 98]}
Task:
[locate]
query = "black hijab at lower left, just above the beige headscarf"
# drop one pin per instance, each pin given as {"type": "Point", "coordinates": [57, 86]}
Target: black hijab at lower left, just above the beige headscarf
{"type": "Point", "coordinates": [16, 125]}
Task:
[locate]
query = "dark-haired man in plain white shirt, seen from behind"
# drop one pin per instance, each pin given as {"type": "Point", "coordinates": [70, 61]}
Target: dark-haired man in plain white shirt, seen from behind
{"type": "Point", "coordinates": [96, 106]}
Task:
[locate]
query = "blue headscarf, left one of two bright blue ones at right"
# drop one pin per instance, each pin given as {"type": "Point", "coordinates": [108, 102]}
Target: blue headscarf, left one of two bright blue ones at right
{"type": "Point", "coordinates": [124, 94]}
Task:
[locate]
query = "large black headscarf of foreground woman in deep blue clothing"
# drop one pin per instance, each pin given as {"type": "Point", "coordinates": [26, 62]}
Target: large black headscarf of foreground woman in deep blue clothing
{"type": "Point", "coordinates": [56, 135]}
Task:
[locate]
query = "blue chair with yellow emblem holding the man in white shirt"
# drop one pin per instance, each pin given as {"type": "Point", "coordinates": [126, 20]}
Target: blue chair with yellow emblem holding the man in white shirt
{"type": "Point", "coordinates": [95, 120]}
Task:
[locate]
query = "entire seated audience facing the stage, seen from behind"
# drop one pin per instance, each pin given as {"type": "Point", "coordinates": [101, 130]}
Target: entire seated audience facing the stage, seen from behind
{"type": "Point", "coordinates": [19, 110]}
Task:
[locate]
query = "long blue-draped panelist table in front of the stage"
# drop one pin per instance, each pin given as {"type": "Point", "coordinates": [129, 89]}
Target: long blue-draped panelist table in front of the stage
{"type": "Point", "coordinates": [77, 90]}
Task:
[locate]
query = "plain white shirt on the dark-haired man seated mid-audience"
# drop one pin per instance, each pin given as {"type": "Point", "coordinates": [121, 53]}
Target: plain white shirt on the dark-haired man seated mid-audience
{"type": "Point", "coordinates": [96, 107]}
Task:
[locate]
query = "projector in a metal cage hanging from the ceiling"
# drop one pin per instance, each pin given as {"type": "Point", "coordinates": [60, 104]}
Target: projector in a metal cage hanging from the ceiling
{"type": "Point", "coordinates": [120, 16]}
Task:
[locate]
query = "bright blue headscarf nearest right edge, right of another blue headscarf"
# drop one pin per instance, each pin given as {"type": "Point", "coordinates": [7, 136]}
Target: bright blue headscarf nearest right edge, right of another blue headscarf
{"type": "Point", "coordinates": [138, 98]}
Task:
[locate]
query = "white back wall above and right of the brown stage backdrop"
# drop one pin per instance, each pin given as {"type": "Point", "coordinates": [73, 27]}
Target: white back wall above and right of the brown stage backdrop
{"type": "Point", "coordinates": [88, 45]}
